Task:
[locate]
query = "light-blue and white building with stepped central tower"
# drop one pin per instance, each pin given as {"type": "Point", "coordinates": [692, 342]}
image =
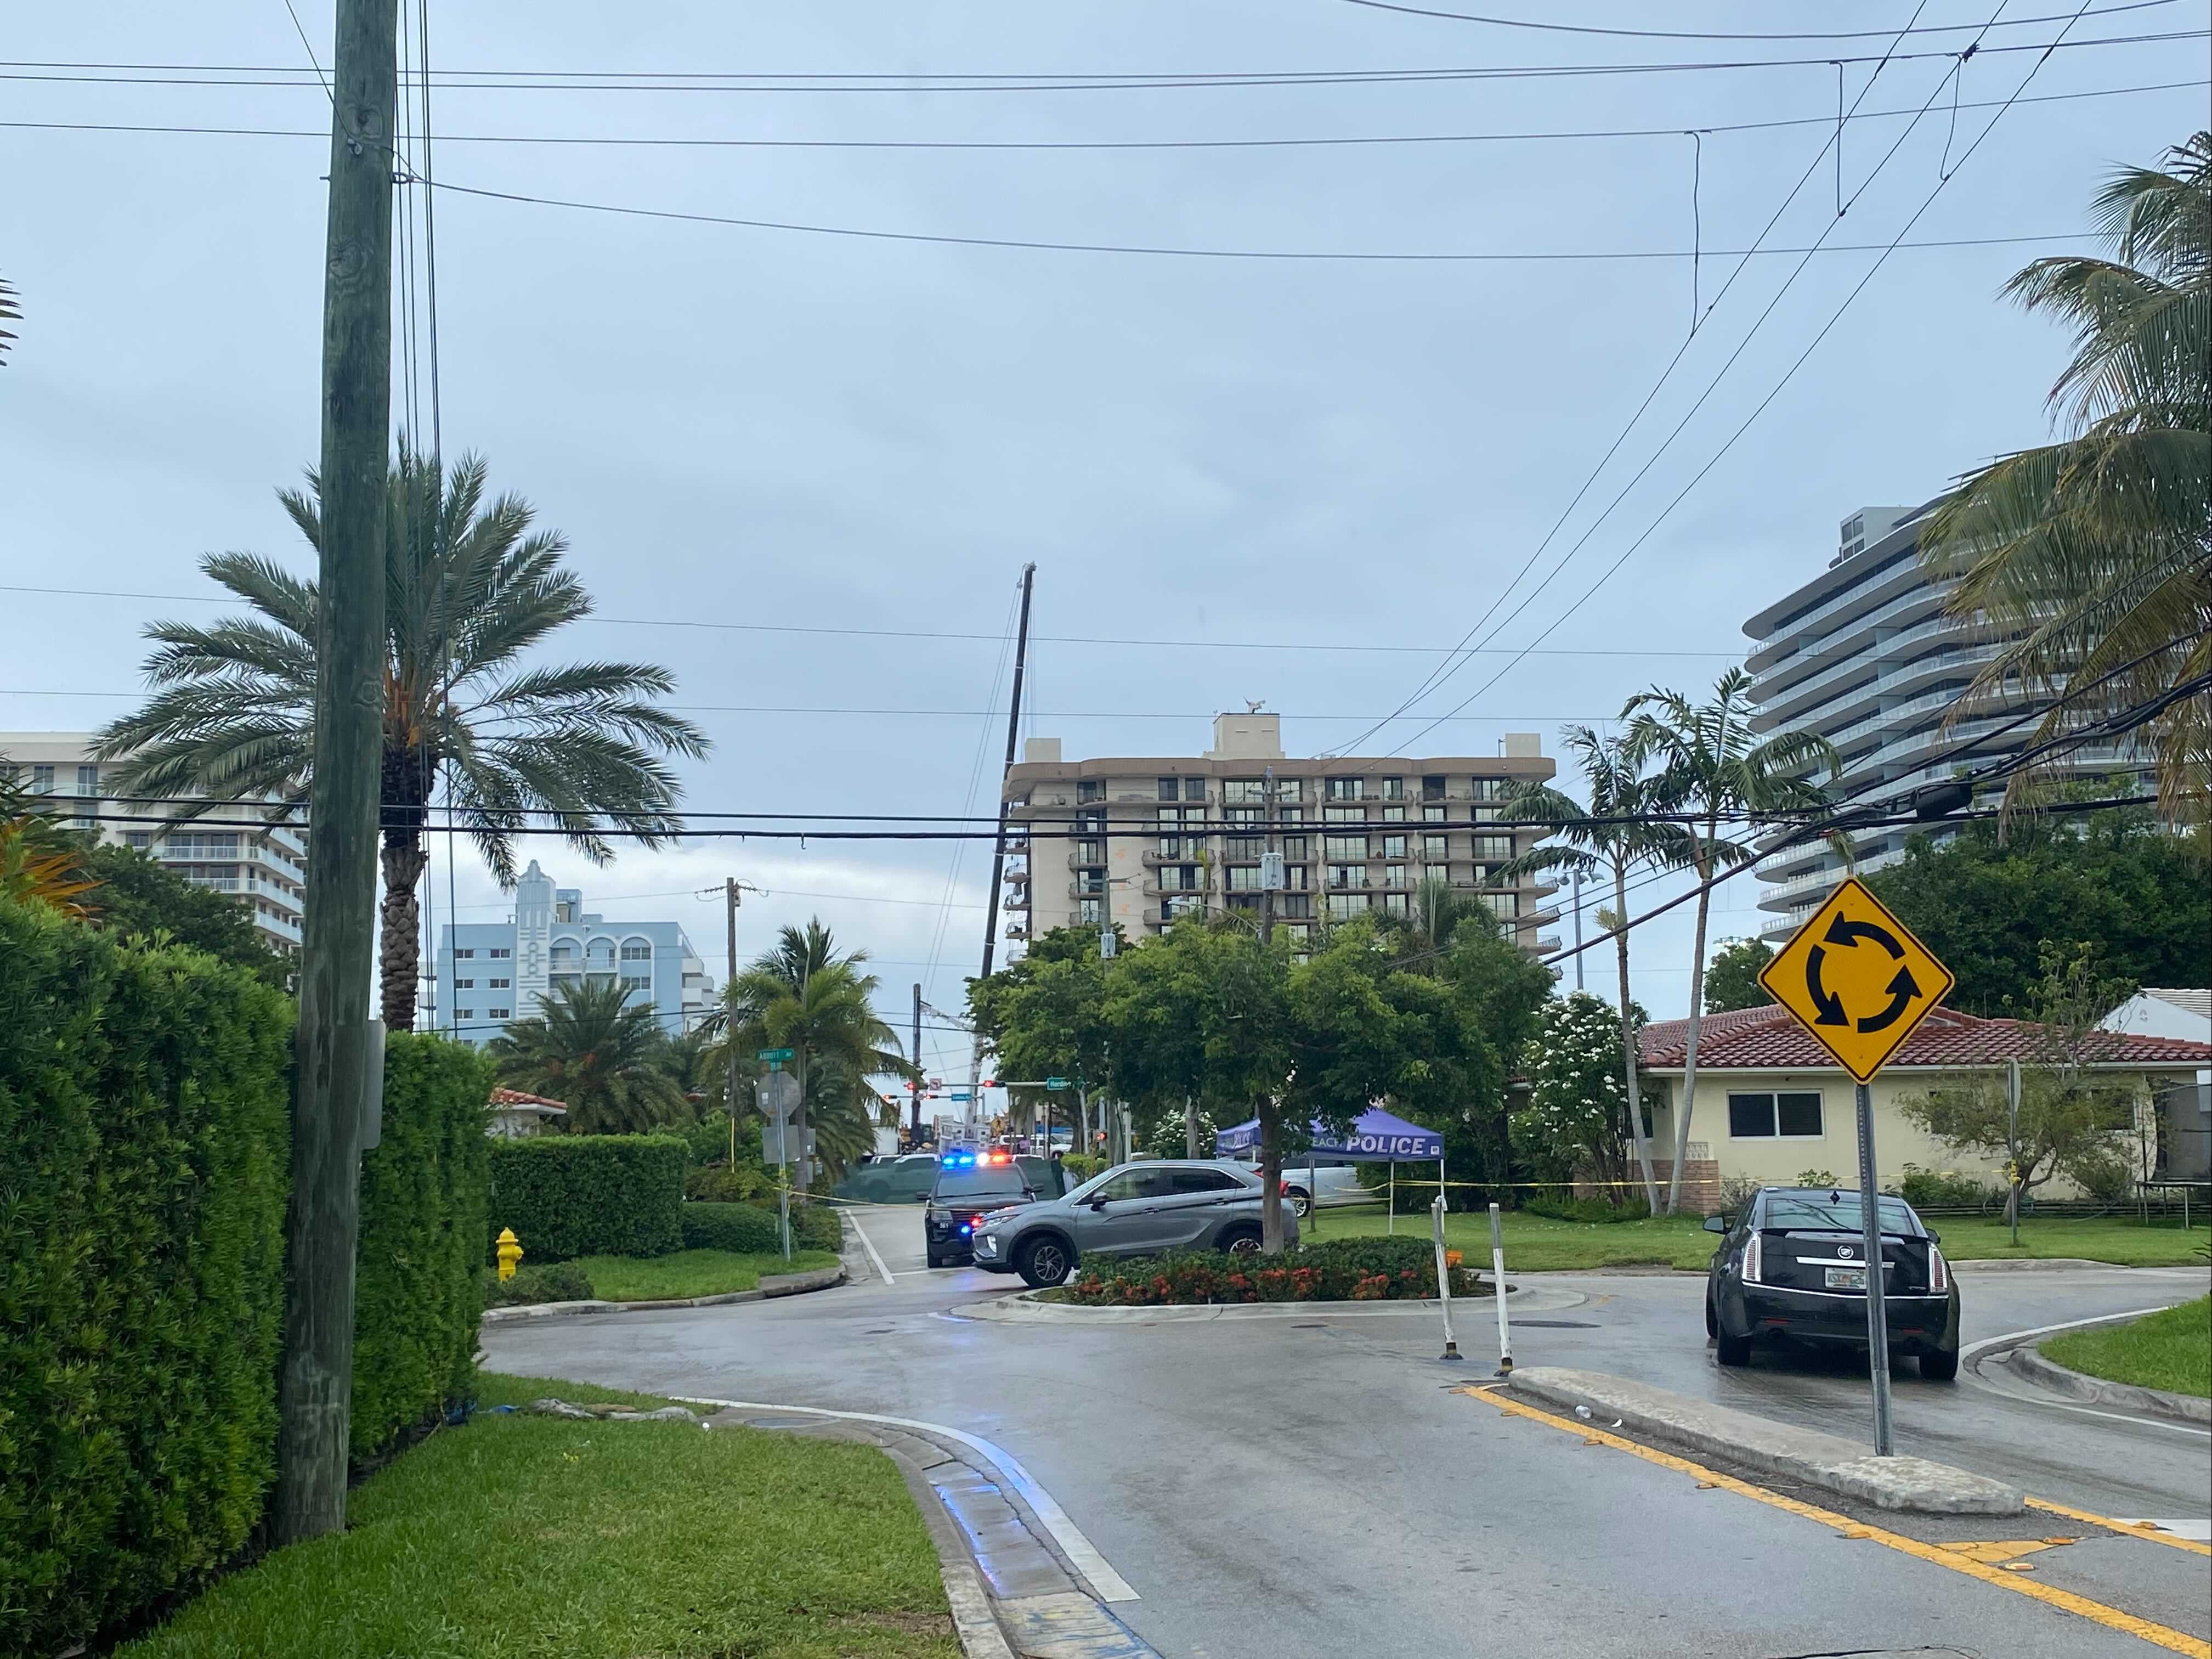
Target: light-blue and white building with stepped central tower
{"type": "Point", "coordinates": [490, 974]}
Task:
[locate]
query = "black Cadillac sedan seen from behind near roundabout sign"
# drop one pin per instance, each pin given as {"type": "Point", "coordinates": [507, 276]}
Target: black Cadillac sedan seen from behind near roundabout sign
{"type": "Point", "coordinates": [1793, 1269]}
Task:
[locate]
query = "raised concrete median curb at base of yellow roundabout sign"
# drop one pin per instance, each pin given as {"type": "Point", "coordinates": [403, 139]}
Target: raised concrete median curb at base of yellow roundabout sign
{"type": "Point", "coordinates": [1773, 1448]}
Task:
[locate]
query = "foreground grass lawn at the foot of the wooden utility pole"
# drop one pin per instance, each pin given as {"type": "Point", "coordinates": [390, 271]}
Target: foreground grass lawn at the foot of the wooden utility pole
{"type": "Point", "coordinates": [543, 1538]}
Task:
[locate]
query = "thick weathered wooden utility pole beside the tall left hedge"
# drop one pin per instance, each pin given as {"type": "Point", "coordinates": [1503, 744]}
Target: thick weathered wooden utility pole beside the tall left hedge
{"type": "Point", "coordinates": [333, 1052]}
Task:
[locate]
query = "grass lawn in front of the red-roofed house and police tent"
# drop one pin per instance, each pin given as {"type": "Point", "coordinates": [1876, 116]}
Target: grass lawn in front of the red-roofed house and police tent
{"type": "Point", "coordinates": [1541, 1244]}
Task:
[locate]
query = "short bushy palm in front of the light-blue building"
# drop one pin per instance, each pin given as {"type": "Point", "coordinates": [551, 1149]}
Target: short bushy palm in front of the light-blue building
{"type": "Point", "coordinates": [598, 1054]}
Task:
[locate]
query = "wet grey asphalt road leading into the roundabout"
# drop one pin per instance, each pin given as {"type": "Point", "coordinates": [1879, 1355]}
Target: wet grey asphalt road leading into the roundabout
{"type": "Point", "coordinates": [1317, 1485]}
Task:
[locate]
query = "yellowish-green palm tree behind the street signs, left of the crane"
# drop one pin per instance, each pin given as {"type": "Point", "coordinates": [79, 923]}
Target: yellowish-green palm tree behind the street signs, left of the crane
{"type": "Point", "coordinates": [808, 999]}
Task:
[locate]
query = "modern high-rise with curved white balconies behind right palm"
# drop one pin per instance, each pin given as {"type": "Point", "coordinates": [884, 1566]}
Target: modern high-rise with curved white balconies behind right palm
{"type": "Point", "coordinates": [1866, 658]}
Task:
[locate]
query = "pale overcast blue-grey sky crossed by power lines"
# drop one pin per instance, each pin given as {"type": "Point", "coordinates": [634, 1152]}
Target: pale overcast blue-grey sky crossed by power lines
{"type": "Point", "coordinates": [804, 470]}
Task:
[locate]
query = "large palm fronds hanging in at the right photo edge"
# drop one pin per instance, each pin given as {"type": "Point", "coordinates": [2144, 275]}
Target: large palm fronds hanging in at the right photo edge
{"type": "Point", "coordinates": [2098, 550]}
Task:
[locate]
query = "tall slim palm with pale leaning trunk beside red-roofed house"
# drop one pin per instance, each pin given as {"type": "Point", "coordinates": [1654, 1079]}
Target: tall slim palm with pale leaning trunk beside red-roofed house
{"type": "Point", "coordinates": [1715, 769]}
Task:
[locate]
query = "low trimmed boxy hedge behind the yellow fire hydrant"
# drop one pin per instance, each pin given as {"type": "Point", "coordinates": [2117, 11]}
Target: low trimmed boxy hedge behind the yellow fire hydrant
{"type": "Point", "coordinates": [589, 1196]}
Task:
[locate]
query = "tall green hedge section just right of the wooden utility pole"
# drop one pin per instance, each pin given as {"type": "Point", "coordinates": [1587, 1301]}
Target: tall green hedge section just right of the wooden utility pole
{"type": "Point", "coordinates": [424, 1207]}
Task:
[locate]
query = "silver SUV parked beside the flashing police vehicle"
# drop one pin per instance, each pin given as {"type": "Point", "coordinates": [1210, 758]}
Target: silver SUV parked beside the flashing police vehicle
{"type": "Point", "coordinates": [1129, 1211]}
